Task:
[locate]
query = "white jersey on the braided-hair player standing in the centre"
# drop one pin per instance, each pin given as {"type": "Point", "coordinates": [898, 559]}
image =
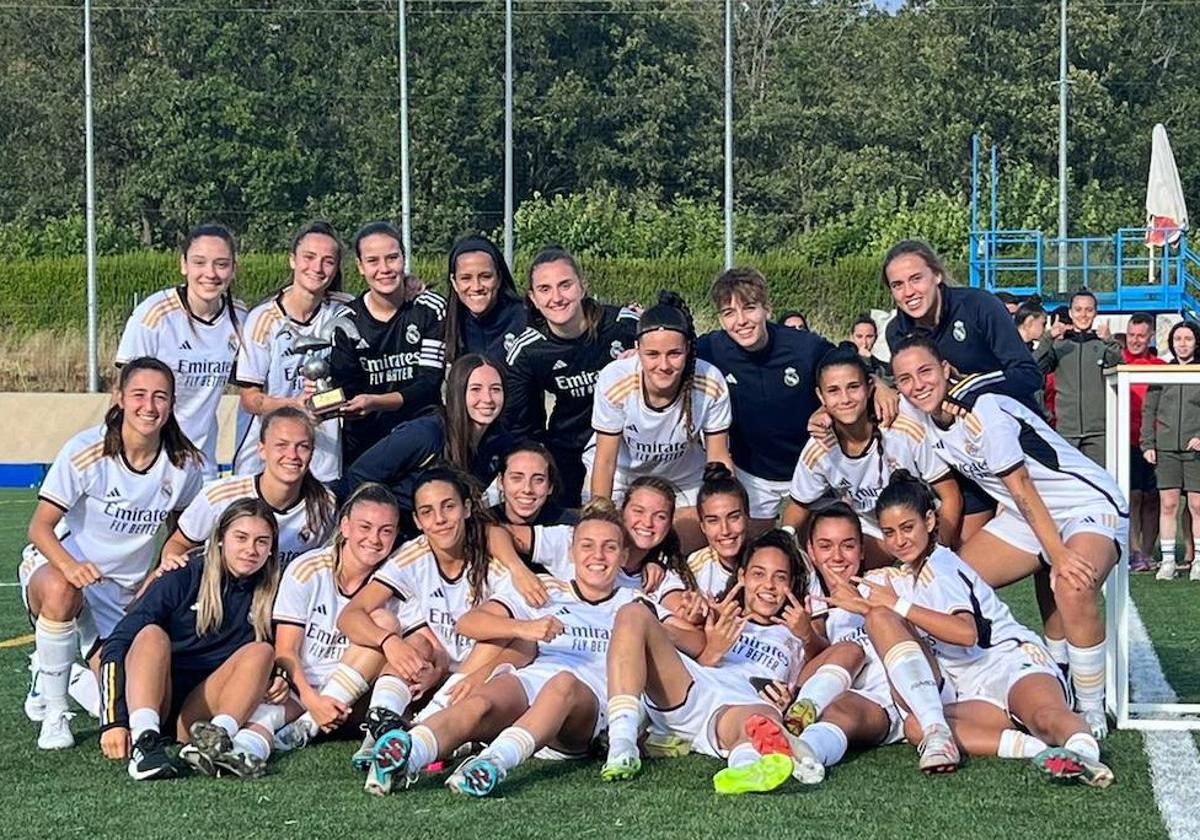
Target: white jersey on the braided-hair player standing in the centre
{"type": "Point", "coordinates": [655, 441]}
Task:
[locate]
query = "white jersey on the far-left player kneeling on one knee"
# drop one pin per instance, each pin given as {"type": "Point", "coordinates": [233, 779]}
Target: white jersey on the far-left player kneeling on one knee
{"type": "Point", "coordinates": [112, 512]}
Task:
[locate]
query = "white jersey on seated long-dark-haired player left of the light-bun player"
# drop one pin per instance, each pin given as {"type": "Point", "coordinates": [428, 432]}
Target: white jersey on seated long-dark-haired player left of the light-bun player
{"type": "Point", "coordinates": [430, 599]}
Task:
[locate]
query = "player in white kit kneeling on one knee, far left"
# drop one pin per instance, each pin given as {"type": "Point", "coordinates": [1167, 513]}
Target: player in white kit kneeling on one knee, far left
{"type": "Point", "coordinates": [93, 533]}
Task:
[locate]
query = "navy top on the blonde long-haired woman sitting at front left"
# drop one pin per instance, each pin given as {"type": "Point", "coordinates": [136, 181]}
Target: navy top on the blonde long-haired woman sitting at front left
{"type": "Point", "coordinates": [171, 604]}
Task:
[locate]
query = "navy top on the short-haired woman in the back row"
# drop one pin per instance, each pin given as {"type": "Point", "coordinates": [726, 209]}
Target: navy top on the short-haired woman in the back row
{"type": "Point", "coordinates": [773, 394]}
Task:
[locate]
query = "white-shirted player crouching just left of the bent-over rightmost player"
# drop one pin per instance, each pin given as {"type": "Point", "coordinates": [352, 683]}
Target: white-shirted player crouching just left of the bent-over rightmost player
{"type": "Point", "coordinates": [859, 463]}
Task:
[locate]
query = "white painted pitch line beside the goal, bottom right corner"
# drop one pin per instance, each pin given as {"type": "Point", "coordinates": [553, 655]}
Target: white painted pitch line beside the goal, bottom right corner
{"type": "Point", "coordinates": [1174, 760]}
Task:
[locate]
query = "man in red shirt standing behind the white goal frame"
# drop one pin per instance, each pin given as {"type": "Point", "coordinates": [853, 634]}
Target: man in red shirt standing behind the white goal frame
{"type": "Point", "coordinates": [1143, 488]}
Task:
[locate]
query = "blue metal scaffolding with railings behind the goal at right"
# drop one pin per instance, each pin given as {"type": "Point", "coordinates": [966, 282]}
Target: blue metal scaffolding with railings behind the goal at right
{"type": "Point", "coordinates": [1118, 268]}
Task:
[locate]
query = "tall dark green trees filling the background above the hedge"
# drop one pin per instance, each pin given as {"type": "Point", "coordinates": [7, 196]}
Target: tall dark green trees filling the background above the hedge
{"type": "Point", "coordinates": [853, 124]}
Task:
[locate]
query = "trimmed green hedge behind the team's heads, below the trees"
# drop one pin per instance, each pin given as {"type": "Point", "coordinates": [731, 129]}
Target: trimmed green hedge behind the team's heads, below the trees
{"type": "Point", "coordinates": [51, 295]}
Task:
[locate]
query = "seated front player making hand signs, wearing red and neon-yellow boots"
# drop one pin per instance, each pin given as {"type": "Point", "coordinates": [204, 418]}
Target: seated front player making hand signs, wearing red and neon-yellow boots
{"type": "Point", "coordinates": [760, 632]}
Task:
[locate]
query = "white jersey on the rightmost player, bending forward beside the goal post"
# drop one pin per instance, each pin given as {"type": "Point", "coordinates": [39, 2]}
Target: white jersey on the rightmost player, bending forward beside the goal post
{"type": "Point", "coordinates": [1001, 435]}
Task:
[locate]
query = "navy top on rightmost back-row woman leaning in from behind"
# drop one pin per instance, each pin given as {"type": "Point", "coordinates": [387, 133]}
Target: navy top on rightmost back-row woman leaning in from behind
{"type": "Point", "coordinates": [980, 339]}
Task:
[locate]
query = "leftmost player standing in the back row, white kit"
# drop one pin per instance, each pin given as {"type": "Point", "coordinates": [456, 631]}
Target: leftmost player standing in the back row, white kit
{"type": "Point", "coordinates": [196, 331]}
